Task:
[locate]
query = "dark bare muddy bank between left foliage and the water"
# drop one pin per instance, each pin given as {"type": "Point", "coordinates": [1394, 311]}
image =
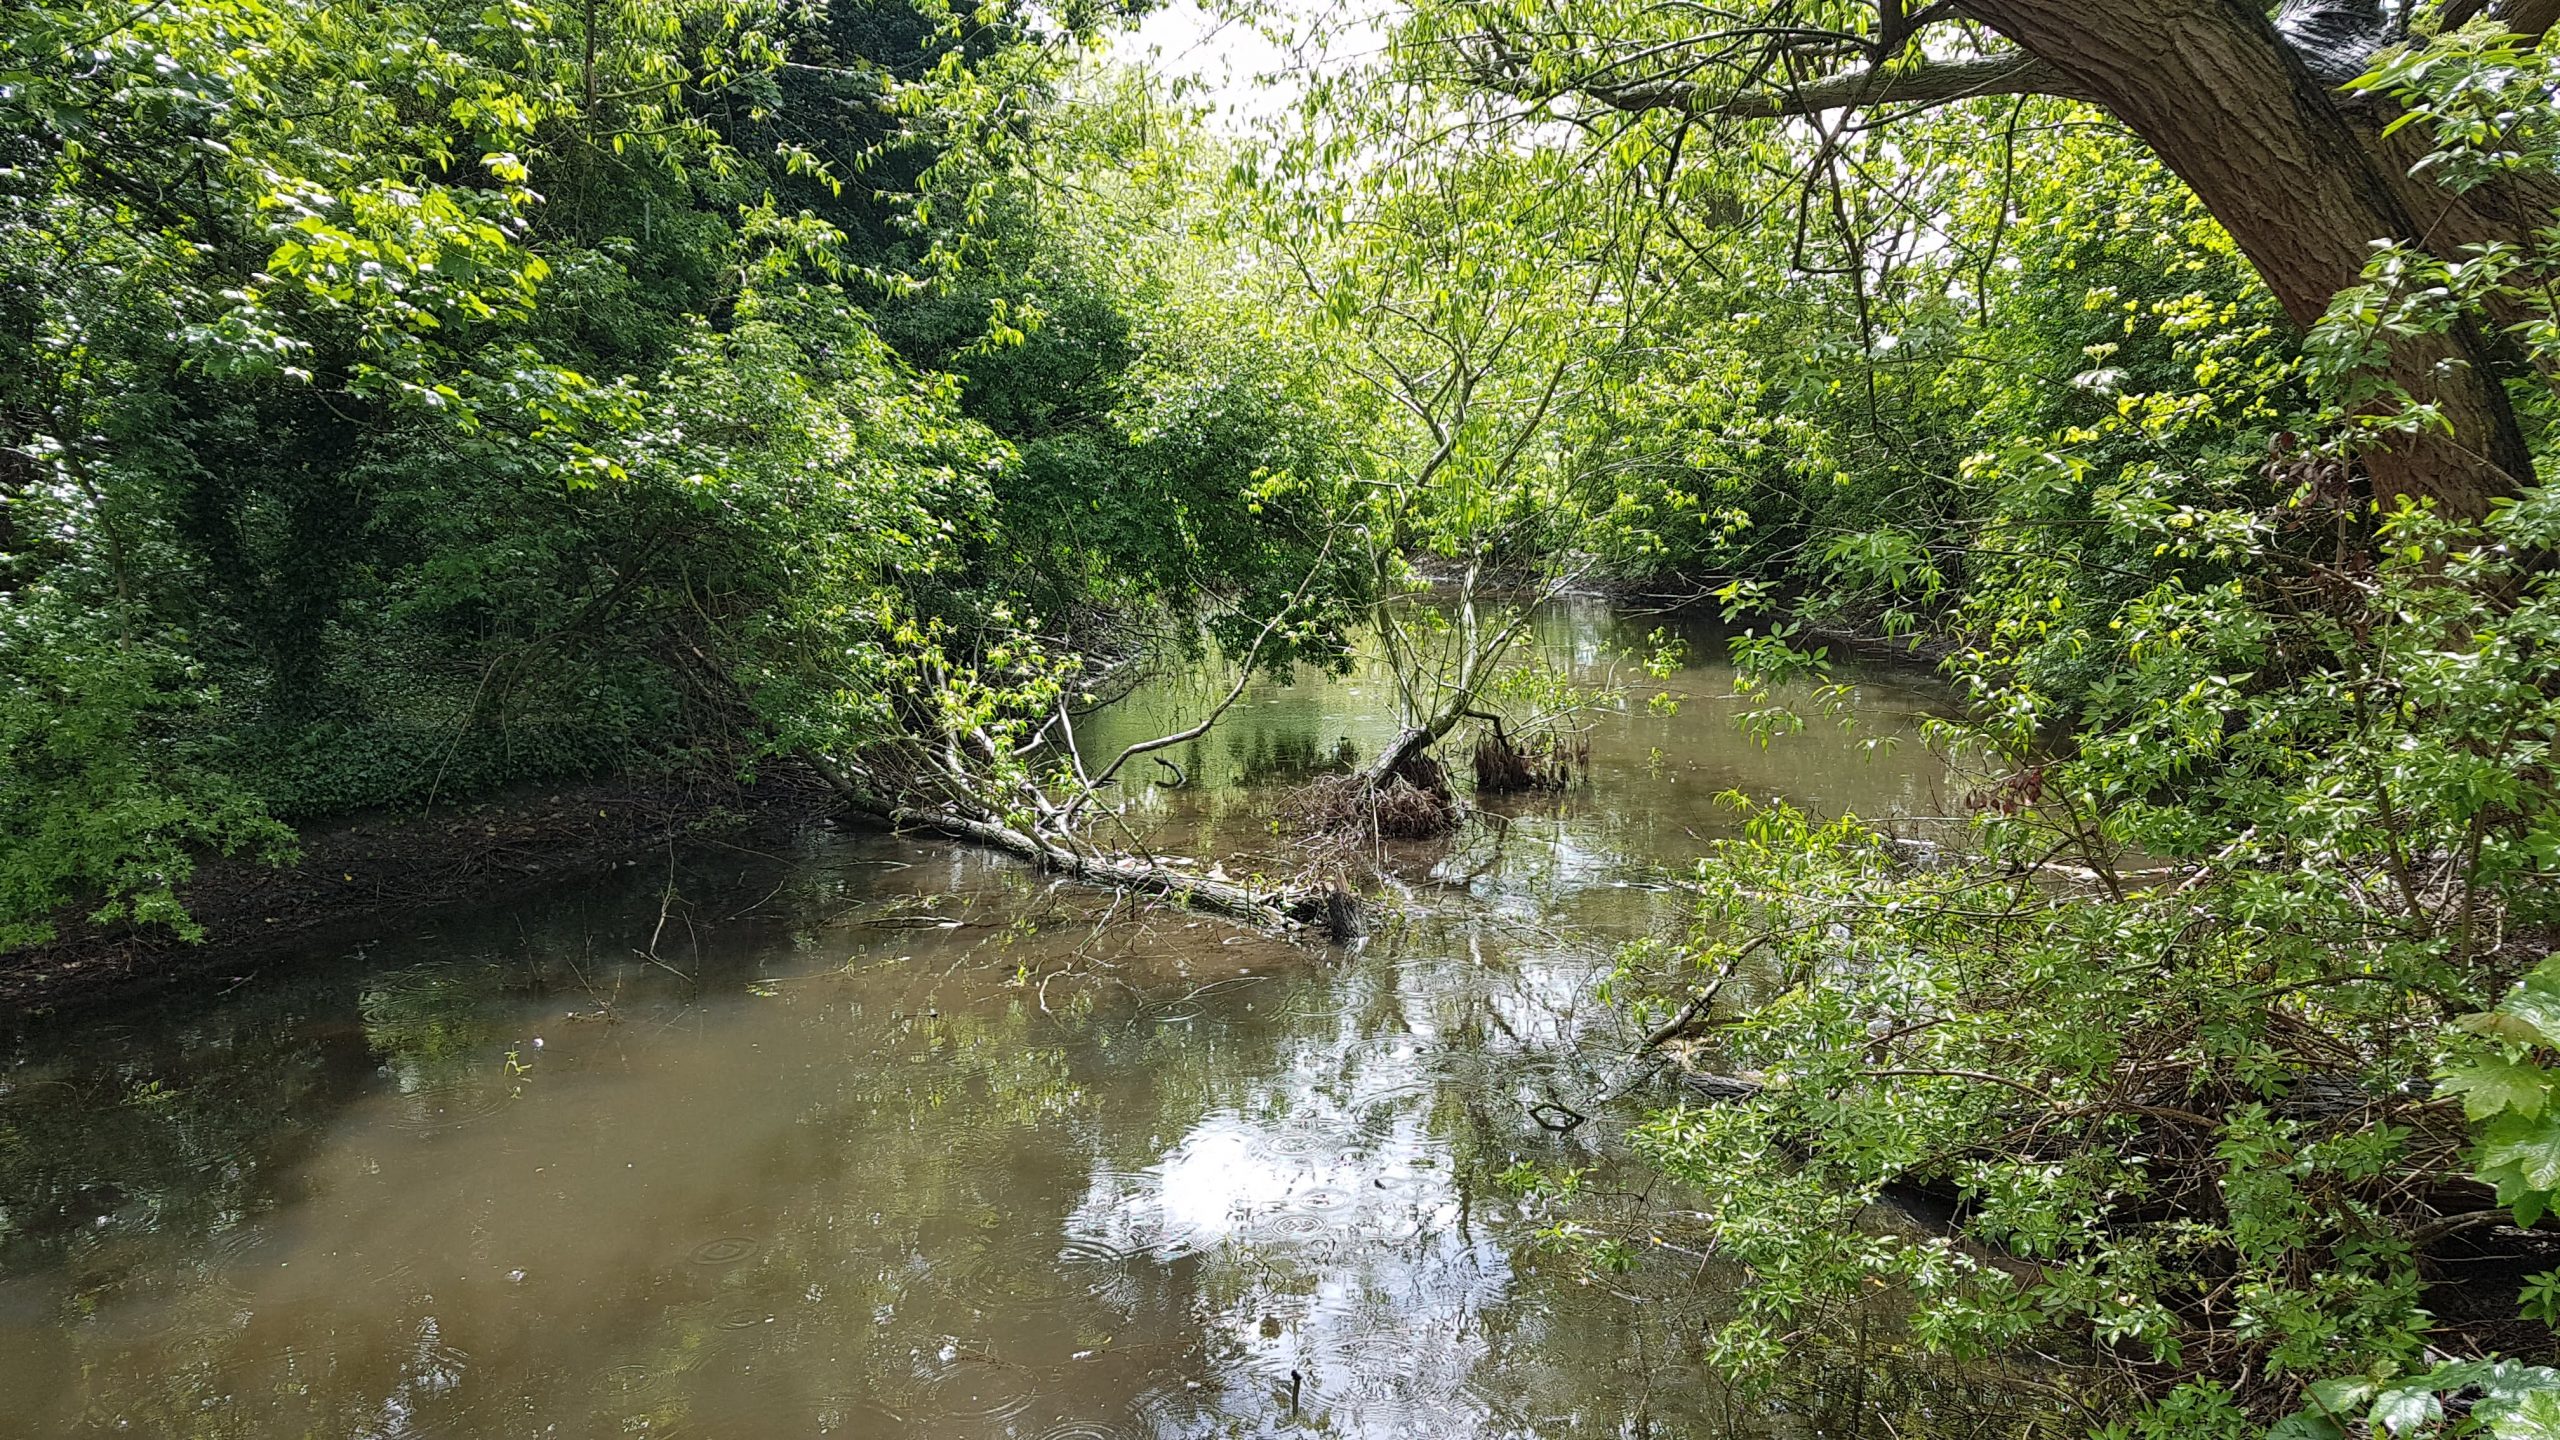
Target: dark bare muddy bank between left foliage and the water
{"type": "Point", "coordinates": [372, 870]}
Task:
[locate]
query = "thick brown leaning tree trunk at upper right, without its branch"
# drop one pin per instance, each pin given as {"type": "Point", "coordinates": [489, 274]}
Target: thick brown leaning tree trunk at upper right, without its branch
{"type": "Point", "coordinates": [2305, 193]}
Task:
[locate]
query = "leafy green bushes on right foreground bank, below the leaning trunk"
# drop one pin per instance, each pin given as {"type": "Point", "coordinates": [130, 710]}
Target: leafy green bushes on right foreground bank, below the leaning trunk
{"type": "Point", "coordinates": [2241, 1006]}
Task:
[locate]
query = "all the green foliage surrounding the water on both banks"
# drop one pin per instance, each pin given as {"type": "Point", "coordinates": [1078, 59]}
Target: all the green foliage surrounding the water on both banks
{"type": "Point", "coordinates": [413, 404]}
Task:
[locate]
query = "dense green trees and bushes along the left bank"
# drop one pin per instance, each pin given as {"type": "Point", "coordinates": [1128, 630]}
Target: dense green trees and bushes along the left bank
{"type": "Point", "coordinates": [419, 401]}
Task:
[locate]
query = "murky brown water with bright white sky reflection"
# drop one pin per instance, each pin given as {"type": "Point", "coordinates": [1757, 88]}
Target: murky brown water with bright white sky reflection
{"type": "Point", "coordinates": [890, 1139]}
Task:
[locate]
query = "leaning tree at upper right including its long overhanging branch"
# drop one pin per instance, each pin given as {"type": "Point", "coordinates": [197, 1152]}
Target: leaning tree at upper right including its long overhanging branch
{"type": "Point", "coordinates": [2246, 106]}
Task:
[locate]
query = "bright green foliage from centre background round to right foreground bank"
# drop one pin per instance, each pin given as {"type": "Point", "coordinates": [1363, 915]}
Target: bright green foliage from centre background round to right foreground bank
{"type": "Point", "coordinates": [2221, 1031]}
